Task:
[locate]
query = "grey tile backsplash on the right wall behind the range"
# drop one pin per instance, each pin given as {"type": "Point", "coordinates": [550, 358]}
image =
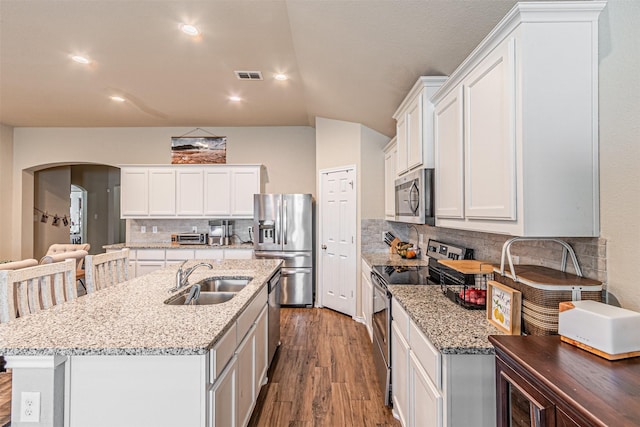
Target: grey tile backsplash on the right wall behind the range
{"type": "Point", "coordinates": [591, 252]}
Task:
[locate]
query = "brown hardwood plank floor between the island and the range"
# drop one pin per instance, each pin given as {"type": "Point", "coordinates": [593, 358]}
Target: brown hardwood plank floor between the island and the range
{"type": "Point", "coordinates": [322, 375]}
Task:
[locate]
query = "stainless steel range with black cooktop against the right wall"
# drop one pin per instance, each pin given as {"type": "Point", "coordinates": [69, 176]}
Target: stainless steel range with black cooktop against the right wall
{"type": "Point", "coordinates": [384, 275]}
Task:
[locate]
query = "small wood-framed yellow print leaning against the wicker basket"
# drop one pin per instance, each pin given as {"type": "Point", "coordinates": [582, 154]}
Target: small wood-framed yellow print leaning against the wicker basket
{"type": "Point", "coordinates": [503, 307]}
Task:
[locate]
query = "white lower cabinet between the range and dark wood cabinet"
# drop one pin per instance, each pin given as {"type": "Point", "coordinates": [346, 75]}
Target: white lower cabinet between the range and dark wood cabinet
{"type": "Point", "coordinates": [434, 389]}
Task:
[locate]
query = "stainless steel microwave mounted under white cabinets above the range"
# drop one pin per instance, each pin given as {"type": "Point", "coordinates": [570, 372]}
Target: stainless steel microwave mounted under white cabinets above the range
{"type": "Point", "coordinates": [414, 197]}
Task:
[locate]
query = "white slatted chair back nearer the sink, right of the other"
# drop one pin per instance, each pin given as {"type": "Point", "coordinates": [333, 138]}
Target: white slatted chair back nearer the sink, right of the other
{"type": "Point", "coordinates": [105, 270]}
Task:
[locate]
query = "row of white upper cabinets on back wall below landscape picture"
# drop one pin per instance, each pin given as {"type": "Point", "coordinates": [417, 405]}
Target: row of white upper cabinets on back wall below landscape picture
{"type": "Point", "coordinates": [189, 191]}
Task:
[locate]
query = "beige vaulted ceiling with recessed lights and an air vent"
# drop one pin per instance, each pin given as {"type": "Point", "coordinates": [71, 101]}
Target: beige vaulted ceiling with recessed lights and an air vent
{"type": "Point", "coordinates": [351, 60]}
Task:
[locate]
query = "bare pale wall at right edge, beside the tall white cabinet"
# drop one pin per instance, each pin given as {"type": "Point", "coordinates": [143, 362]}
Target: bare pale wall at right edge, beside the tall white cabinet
{"type": "Point", "coordinates": [620, 147]}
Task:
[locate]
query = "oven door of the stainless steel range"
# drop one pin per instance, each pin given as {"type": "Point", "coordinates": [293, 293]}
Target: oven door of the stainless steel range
{"type": "Point", "coordinates": [382, 335]}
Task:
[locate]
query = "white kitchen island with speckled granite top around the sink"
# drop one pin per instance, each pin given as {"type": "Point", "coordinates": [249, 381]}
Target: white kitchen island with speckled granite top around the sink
{"type": "Point", "coordinates": [122, 357]}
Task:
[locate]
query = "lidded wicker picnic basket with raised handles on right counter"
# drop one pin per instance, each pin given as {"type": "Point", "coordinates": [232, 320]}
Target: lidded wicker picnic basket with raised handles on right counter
{"type": "Point", "coordinates": [543, 289]}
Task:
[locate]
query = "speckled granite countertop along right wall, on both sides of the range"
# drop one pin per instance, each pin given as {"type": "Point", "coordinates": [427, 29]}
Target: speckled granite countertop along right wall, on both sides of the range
{"type": "Point", "coordinates": [450, 328]}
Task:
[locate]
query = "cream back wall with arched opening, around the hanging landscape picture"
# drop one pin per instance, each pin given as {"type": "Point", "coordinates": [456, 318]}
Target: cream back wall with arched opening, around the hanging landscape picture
{"type": "Point", "coordinates": [288, 154]}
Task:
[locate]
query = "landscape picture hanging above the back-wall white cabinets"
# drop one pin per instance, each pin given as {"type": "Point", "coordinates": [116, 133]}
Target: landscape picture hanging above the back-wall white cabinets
{"type": "Point", "coordinates": [198, 149]}
